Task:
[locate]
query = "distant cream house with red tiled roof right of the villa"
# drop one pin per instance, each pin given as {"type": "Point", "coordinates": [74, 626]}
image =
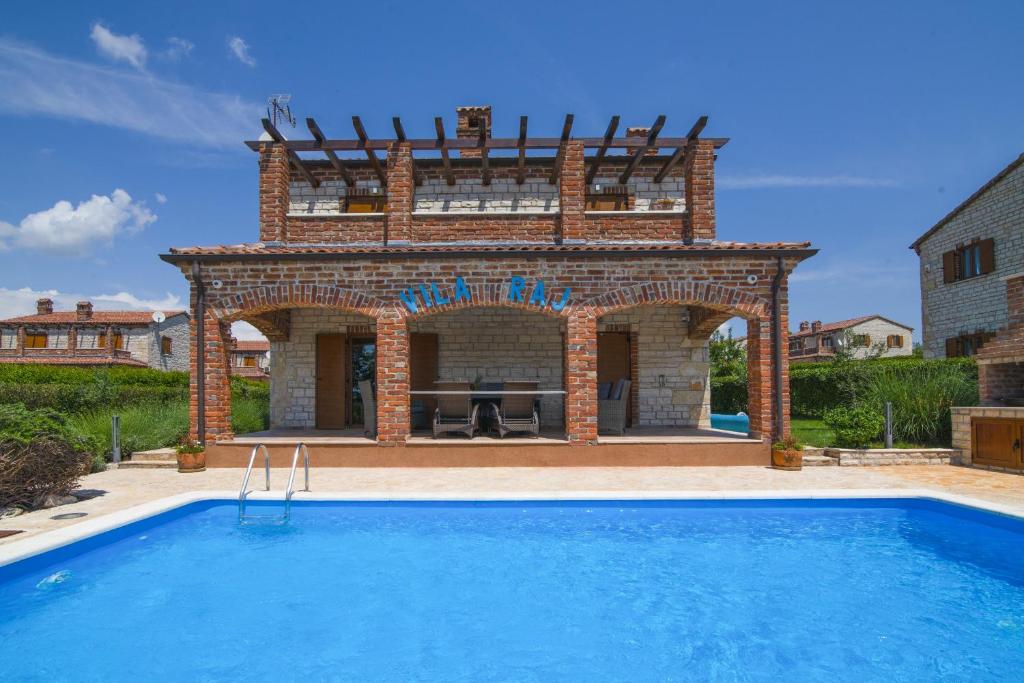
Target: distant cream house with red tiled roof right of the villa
{"type": "Point", "coordinates": [869, 336]}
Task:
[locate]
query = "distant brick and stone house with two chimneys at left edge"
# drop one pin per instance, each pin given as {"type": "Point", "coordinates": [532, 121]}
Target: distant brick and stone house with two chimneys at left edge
{"type": "Point", "coordinates": [86, 337]}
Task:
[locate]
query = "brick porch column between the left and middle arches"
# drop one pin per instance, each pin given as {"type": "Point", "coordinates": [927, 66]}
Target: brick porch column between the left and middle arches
{"type": "Point", "coordinates": [393, 379]}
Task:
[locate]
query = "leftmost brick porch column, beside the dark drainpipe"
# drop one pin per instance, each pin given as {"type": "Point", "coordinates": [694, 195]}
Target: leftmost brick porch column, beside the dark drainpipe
{"type": "Point", "coordinates": [215, 348]}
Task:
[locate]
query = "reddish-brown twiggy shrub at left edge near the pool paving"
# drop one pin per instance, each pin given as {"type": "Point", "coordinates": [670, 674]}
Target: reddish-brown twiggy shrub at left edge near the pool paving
{"type": "Point", "coordinates": [30, 473]}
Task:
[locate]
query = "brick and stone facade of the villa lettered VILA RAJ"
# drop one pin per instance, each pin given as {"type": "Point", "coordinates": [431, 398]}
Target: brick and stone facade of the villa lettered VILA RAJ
{"type": "Point", "coordinates": [550, 279]}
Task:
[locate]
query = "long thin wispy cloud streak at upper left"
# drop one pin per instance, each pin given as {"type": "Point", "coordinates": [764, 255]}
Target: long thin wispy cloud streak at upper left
{"type": "Point", "coordinates": [35, 82]}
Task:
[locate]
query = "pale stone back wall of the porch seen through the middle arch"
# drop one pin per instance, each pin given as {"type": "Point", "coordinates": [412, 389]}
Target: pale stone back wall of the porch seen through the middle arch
{"type": "Point", "coordinates": [501, 345]}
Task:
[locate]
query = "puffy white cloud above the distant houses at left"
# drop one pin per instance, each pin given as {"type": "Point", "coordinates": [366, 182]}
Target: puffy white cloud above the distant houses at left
{"type": "Point", "coordinates": [67, 229]}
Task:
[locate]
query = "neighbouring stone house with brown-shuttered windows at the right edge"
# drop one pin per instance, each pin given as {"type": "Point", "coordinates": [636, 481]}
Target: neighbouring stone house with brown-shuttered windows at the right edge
{"type": "Point", "coordinates": [966, 260]}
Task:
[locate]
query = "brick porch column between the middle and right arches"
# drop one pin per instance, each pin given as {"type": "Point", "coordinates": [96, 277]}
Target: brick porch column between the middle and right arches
{"type": "Point", "coordinates": [581, 378]}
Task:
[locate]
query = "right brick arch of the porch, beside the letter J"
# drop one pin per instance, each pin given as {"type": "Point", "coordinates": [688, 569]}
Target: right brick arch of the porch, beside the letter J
{"type": "Point", "coordinates": [715, 297]}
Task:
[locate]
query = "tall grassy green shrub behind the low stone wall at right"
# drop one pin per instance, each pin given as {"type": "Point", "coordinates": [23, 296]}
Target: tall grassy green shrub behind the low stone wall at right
{"type": "Point", "coordinates": [922, 398]}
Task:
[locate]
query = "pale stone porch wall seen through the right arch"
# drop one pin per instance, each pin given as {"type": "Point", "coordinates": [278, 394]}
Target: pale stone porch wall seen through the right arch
{"type": "Point", "coordinates": [672, 385]}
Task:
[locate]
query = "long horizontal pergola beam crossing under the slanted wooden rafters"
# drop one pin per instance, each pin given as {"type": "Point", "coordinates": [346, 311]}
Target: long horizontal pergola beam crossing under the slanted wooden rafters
{"type": "Point", "coordinates": [429, 144]}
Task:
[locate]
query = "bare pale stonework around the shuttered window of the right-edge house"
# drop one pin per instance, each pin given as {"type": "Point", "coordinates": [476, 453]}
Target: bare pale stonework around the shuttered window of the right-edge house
{"type": "Point", "coordinates": [977, 305]}
